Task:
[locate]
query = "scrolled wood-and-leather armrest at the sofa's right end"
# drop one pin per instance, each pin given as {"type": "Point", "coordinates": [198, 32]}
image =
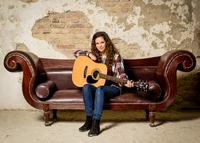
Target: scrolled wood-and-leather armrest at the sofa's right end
{"type": "Point", "coordinates": [167, 68]}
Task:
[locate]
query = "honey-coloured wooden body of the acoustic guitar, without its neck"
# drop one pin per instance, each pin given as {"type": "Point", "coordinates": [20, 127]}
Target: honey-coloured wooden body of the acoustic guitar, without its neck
{"type": "Point", "coordinates": [85, 71]}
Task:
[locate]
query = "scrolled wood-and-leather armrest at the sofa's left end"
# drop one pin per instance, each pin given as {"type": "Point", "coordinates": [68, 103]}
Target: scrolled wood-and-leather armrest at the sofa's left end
{"type": "Point", "coordinates": [33, 73]}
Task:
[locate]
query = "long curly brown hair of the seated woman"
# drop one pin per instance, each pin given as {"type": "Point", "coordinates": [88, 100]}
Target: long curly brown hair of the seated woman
{"type": "Point", "coordinates": [111, 50]}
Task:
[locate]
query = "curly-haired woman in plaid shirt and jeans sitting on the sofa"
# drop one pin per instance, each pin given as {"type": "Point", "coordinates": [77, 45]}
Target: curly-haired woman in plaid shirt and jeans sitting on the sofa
{"type": "Point", "coordinates": [102, 51]}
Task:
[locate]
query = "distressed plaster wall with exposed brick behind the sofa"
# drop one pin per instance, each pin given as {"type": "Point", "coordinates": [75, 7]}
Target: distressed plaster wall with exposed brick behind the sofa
{"type": "Point", "coordinates": [139, 29]}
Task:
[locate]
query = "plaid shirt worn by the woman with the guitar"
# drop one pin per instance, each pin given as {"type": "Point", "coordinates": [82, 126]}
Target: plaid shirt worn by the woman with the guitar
{"type": "Point", "coordinates": [118, 70]}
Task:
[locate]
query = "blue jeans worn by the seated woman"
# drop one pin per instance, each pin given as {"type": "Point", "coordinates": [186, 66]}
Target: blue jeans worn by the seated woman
{"type": "Point", "coordinates": [94, 98]}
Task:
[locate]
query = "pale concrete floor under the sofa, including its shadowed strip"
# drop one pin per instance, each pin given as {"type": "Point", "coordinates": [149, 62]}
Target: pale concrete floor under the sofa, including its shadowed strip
{"type": "Point", "coordinates": [27, 126]}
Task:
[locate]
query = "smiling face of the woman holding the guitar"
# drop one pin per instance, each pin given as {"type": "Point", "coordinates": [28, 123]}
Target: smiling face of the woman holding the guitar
{"type": "Point", "coordinates": [100, 44]}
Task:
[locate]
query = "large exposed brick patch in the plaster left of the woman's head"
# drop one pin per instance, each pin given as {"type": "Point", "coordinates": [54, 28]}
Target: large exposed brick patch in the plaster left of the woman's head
{"type": "Point", "coordinates": [65, 31]}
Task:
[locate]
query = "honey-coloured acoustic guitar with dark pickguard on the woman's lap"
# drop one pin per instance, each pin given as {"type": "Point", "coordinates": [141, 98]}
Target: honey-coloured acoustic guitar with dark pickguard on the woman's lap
{"type": "Point", "coordinates": [86, 71]}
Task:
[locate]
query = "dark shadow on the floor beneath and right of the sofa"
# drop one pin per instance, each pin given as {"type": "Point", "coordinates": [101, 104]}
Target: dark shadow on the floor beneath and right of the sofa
{"type": "Point", "coordinates": [161, 117]}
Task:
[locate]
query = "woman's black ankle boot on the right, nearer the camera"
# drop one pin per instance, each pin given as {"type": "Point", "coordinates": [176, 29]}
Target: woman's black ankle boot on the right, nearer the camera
{"type": "Point", "coordinates": [95, 130]}
